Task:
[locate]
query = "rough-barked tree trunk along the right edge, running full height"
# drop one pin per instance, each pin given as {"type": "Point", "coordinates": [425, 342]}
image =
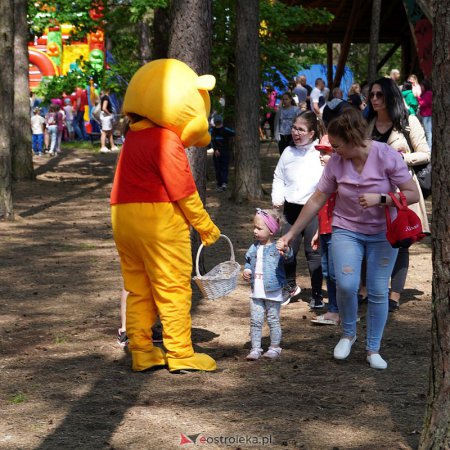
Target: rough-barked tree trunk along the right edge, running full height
{"type": "Point", "coordinates": [436, 430]}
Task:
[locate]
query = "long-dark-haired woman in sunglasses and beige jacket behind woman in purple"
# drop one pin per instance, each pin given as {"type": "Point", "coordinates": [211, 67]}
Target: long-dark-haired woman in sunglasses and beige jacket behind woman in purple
{"type": "Point", "coordinates": [390, 122]}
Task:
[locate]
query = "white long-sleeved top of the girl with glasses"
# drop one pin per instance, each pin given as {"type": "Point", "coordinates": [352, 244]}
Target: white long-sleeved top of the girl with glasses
{"type": "Point", "coordinates": [297, 174]}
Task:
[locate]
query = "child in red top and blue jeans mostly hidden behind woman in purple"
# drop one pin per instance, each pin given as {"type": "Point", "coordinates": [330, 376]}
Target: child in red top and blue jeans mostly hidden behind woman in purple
{"type": "Point", "coordinates": [331, 317]}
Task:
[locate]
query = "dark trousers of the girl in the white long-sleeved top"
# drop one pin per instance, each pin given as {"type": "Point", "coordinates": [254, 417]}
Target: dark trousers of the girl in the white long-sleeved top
{"type": "Point", "coordinates": [313, 259]}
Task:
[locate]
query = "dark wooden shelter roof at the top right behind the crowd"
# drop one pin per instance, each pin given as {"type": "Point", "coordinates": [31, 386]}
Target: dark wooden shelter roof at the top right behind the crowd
{"type": "Point", "coordinates": [394, 25]}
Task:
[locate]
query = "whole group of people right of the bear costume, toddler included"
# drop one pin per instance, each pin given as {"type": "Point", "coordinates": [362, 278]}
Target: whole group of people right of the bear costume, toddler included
{"type": "Point", "coordinates": [339, 161]}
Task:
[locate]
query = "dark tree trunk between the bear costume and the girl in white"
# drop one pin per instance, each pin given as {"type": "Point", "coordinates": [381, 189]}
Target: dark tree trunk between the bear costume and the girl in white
{"type": "Point", "coordinates": [247, 163]}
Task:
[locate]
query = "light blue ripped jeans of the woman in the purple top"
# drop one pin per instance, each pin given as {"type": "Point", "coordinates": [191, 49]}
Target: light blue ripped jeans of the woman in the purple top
{"type": "Point", "coordinates": [349, 248]}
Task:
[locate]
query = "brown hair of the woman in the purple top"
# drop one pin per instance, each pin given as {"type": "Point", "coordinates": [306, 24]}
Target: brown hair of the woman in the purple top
{"type": "Point", "coordinates": [350, 126]}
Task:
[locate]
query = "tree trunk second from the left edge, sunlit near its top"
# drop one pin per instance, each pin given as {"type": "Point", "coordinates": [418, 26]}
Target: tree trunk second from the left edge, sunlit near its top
{"type": "Point", "coordinates": [22, 155]}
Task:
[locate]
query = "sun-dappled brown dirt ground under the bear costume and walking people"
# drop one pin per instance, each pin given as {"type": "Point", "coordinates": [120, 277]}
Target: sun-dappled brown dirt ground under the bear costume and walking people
{"type": "Point", "coordinates": [65, 384]}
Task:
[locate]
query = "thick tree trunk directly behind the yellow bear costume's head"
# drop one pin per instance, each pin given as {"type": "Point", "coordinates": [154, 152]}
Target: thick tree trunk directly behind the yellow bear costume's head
{"type": "Point", "coordinates": [191, 41]}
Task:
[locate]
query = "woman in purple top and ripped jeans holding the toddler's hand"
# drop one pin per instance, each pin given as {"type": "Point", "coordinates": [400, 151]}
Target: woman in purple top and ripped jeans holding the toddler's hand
{"type": "Point", "coordinates": [362, 172]}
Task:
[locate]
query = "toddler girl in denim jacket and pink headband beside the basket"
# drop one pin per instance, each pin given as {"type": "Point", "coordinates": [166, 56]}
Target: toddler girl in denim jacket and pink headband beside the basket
{"type": "Point", "coordinates": [264, 267]}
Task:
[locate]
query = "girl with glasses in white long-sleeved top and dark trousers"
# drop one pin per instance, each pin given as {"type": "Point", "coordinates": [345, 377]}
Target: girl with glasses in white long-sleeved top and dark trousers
{"type": "Point", "coordinates": [296, 177]}
